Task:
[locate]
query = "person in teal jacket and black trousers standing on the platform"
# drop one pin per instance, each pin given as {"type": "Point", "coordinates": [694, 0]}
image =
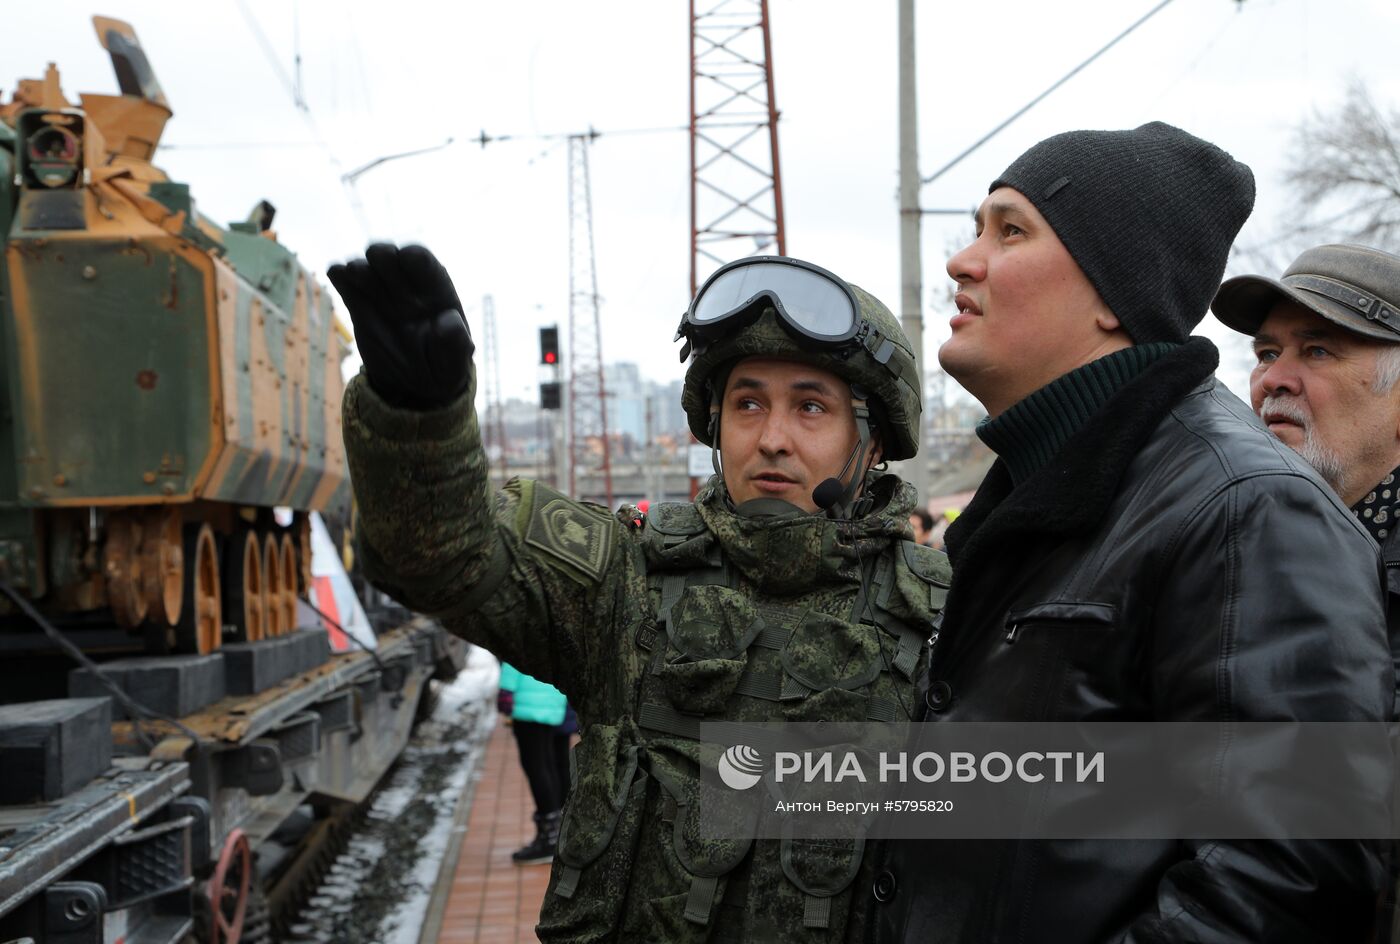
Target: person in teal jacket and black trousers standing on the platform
{"type": "Point", "coordinates": [542, 722]}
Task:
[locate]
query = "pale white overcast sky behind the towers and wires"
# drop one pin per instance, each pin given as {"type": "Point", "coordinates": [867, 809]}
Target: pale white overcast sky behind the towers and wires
{"type": "Point", "coordinates": [387, 78]}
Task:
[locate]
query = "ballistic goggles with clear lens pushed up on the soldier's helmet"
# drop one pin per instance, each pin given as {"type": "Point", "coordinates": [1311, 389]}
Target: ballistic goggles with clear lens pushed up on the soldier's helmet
{"type": "Point", "coordinates": [814, 306]}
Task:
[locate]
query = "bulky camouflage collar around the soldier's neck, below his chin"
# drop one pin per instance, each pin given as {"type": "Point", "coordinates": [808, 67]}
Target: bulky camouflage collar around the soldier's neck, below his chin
{"type": "Point", "coordinates": [800, 553]}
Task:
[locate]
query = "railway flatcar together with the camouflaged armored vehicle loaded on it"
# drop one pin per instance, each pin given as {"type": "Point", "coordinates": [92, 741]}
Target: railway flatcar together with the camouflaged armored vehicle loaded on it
{"type": "Point", "coordinates": [170, 421]}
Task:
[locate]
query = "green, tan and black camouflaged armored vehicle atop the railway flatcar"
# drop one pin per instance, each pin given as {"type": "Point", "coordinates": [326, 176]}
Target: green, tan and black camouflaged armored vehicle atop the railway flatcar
{"type": "Point", "coordinates": [169, 382]}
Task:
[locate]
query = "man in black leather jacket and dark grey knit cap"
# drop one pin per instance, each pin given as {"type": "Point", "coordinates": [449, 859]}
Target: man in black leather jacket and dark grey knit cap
{"type": "Point", "coordinates": [1150, 548]}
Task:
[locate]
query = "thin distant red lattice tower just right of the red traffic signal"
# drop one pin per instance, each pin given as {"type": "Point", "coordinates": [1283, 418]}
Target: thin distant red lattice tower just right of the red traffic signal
{"type": "Point", "coordinates": [587, 396]}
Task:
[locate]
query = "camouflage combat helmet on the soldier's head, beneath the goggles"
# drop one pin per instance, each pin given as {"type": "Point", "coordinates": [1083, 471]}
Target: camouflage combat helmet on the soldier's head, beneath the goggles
{"type": "Point", "coordinates": [878, 359]}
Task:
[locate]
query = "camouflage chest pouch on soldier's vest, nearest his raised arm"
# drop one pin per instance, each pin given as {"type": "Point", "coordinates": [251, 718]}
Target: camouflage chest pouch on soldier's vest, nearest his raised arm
{"type": "Point", "coordinates": [708, 637]}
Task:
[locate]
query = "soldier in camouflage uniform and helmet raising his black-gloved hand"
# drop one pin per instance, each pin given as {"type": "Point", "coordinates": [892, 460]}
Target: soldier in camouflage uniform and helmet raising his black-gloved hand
{"type": "Point", "coordinates": [789, 590]}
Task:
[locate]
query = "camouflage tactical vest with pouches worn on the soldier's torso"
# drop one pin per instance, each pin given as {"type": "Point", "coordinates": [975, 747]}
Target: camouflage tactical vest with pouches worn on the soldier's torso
{"type": "Point", "coordinates": [719, 652]}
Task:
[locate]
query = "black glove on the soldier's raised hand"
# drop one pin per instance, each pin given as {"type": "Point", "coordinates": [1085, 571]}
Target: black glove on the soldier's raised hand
{"type": "Point", "coordinates": [408, 324]}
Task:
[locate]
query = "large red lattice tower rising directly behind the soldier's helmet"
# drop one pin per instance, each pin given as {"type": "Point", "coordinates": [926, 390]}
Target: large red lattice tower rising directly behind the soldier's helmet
{"type": "Point", "coordinates": [736, 177]}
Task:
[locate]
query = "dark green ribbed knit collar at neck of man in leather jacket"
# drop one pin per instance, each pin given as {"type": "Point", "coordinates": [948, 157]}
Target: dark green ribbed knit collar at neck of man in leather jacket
{"type": "Point", "coordinates": [1028, 435]}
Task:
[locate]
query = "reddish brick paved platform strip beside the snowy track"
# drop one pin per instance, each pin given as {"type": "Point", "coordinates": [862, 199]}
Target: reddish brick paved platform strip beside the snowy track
{"type": "Point", "coordinates": [495, 901]}
